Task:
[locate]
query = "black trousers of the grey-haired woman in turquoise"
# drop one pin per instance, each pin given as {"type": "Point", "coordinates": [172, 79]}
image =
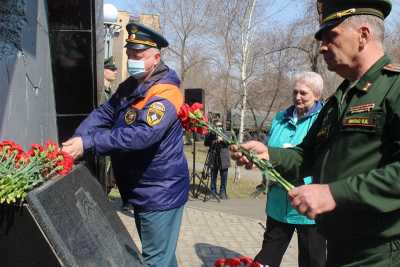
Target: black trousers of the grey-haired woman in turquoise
{"type": "Point", "coordinates": [312, 246]}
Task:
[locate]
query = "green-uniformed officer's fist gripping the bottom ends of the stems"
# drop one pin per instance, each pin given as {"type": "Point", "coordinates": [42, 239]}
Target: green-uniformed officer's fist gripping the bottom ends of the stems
{"type": "Point", "coordinates": [312, 200]}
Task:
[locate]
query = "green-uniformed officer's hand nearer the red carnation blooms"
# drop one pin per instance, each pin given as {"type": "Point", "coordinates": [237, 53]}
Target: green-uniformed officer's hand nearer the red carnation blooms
{"type": "Point", "coordinates": [254, 146]}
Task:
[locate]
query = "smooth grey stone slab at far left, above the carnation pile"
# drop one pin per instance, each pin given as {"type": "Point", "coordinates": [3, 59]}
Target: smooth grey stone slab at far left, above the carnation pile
{"type": "Point", "coordinates": [27, 109]}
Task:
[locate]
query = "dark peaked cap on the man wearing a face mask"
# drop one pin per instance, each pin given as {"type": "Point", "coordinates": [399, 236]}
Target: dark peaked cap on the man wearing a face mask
{"type": "Point", "coordinates": [142, 37]}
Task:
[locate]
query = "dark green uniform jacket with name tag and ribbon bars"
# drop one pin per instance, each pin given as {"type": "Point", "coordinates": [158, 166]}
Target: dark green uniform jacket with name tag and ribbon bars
{"type": "Point", "coordinates": [354, 146]}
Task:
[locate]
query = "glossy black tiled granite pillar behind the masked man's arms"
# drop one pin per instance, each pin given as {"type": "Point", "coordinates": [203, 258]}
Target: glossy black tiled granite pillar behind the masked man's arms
{"type": "Point", "coordinates": [75, 26]}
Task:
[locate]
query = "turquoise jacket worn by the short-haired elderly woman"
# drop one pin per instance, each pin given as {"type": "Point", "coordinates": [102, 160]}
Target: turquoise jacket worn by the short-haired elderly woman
{"type": "Point", "coordinates": [286, 131]}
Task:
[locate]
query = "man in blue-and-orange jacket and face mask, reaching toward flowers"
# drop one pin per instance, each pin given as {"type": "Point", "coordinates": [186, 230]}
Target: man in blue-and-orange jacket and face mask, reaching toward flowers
{"type": "Point", "coordinates": [139, 128]}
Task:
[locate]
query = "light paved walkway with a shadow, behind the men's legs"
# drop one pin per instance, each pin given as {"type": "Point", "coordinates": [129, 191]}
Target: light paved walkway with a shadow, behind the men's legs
{"type": "Point", "coordinates": [212, 230]}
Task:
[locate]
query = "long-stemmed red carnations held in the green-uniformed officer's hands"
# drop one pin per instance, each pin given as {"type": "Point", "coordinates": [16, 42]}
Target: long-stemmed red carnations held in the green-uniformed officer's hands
{"type": "Point", "coordinates": [193, 120]}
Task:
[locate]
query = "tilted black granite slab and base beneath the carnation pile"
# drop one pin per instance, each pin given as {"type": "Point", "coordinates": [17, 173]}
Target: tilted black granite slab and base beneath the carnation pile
{"type": "Point", "coordinates": [66, 222]}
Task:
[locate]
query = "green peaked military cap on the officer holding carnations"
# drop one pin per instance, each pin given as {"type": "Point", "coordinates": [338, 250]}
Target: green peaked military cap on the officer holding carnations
{"type": "Point", "coordinates": [333, 12]}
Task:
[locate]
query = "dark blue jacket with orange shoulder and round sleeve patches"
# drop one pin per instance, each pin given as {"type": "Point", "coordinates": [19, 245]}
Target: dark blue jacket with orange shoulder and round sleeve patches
{"type": "Point", "coordinates": [140, 129]}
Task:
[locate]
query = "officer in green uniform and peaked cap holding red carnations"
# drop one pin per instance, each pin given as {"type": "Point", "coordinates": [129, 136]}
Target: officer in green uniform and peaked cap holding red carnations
{"type": "Point", "coordinates": [353, 148]}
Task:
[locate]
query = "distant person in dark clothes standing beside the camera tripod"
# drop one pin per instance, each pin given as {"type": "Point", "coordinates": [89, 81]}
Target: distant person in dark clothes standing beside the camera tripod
{"type": "Point", "coordinates": [219, 161]}
